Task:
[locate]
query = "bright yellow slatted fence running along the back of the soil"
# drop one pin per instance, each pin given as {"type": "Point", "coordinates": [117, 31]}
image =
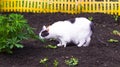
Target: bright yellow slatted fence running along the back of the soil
{"type": "Point", "coordinates": [66, 6]}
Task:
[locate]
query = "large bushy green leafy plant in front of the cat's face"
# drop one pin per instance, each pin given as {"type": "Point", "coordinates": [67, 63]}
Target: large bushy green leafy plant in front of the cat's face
{"type": "Point", "coordinates": [14, 28]}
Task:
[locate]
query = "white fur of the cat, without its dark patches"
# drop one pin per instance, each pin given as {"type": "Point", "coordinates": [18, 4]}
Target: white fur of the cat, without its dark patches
{"type": "Point", "coordinates": [78, 32]}
